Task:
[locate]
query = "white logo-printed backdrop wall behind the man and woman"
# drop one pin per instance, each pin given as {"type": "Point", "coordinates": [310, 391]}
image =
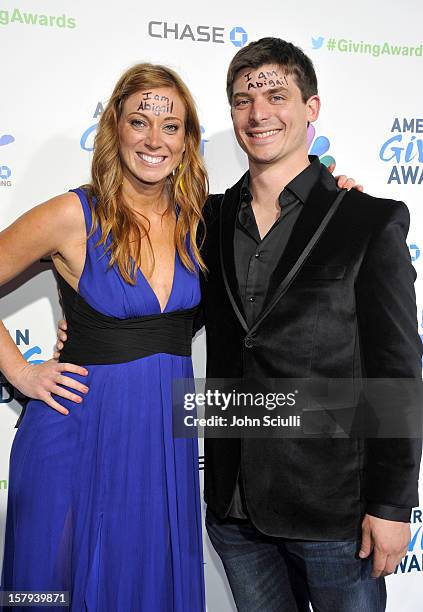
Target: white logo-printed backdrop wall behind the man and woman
{"type": "Point", "coordinates": [59, 62]}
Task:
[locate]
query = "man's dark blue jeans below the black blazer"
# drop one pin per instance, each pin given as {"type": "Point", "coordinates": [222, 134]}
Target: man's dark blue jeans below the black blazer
{"type": "Point", "coordinates": [269, 574]}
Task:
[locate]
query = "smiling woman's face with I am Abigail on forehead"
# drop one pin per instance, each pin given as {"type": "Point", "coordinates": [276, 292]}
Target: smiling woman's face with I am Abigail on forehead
{"type": "Point", "coordinates": [152, 134]}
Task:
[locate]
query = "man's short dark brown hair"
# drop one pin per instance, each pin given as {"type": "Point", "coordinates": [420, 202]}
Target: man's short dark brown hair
{"type": "Point", "coordinates": [274, 51]}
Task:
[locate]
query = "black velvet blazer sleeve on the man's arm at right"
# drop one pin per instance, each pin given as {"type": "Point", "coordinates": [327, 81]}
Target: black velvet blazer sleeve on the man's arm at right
{"type": "Point", "coordinates": [390, 348]}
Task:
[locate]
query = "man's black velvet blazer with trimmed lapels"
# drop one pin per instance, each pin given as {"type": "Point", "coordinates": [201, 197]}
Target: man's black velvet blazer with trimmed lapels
{"type": "Point", "coordinates": [351, 312]}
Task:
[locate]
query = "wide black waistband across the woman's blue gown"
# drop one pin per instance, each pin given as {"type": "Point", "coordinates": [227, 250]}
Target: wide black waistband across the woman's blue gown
{"type": "Point", "coordinates": [95, 338]}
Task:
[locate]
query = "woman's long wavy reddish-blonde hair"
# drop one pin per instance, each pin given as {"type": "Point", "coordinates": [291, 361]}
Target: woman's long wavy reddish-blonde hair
{"type": "Point", "coordinates": [188, 187]}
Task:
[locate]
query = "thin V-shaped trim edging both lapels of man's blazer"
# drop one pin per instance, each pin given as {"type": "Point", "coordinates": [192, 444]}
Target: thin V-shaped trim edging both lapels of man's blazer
{"type": "Point", "coordinates": [290, 277]}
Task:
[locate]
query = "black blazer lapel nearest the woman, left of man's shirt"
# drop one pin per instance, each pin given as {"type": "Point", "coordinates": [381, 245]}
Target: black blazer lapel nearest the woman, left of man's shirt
{"type": "Point", "coordinates": [227, 220]}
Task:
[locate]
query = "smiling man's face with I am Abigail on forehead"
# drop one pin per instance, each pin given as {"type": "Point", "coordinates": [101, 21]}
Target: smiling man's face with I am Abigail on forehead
{"type": "Point", "coordinates": [269, 116]}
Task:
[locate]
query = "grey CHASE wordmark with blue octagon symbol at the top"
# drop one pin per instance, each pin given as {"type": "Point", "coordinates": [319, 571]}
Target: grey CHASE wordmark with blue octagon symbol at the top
{"type": "Point", "coordinates": [197, 33]}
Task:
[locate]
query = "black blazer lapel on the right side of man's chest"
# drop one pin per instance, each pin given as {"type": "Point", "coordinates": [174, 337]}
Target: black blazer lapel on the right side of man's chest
{"type": "Point", "coordinates": [314, 210]}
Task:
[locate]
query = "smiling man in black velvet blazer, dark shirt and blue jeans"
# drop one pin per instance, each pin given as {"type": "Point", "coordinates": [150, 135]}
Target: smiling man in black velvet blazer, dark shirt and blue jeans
{"type": "Point", "coordinates": [295, 520]}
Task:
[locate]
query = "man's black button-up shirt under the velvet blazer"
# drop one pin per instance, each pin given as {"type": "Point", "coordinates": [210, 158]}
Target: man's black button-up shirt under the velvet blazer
{"type": "Point", "coordinates": [256, 259]}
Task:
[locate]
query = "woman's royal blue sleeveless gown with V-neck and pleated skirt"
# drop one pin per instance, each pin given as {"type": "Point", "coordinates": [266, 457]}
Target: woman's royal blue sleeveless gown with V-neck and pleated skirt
{"type": "Point", "coordinates": [105, 502]}
